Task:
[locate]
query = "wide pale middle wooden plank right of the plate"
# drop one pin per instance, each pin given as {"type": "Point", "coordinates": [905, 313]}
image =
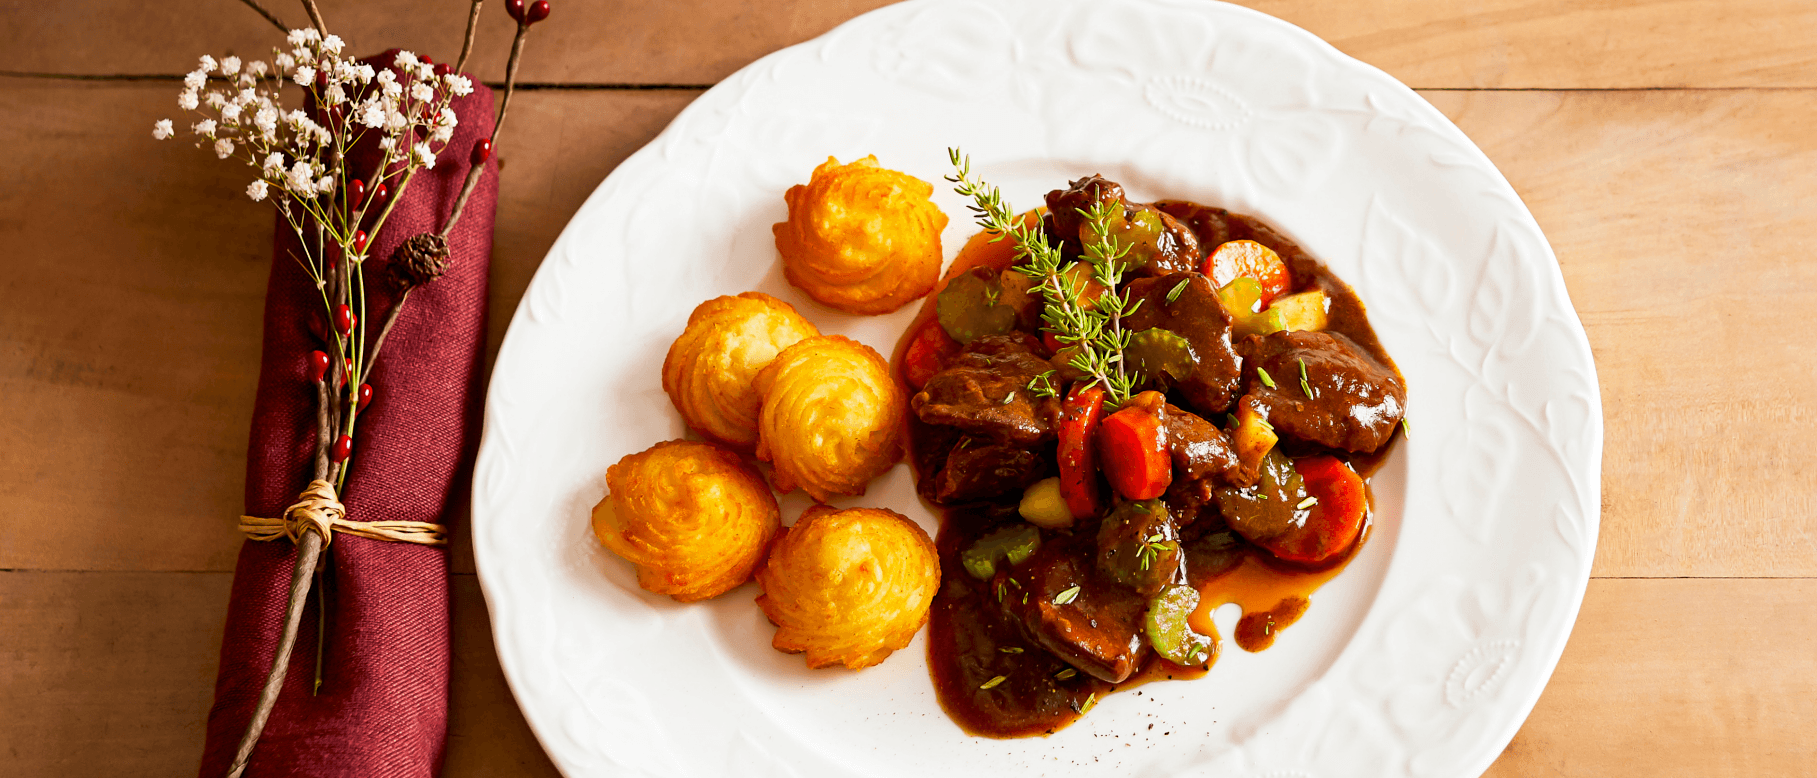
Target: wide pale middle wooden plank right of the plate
{"type": "Point", "coordinates": [1685, 235]}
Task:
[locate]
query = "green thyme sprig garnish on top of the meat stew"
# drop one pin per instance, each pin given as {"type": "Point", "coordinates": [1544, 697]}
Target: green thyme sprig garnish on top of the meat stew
{"type": "Point", "coordinates": [1091, 330]}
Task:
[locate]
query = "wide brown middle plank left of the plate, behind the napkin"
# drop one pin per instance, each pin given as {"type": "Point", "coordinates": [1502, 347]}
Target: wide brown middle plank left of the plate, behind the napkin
{"type": "Point", "coordinates": [130, 335]}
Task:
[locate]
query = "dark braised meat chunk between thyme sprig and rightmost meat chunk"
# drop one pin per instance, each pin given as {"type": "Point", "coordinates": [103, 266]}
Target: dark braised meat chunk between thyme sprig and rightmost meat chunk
{"type": "Point", "coordinates": [1198, 317]}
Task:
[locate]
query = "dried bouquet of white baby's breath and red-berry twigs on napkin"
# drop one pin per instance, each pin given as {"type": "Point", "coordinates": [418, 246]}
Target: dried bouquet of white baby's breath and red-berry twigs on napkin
{"type": "Point", "coordinates": [304, 166]}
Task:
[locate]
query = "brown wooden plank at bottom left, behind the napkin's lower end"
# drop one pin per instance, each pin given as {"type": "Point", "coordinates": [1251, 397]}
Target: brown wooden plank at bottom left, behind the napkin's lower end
{"type": "Point", "coordinates": [114, 673]}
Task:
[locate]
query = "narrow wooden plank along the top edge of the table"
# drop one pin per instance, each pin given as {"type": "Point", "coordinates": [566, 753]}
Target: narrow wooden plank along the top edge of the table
{"type": "Point", "coordinates": [1511, 45]}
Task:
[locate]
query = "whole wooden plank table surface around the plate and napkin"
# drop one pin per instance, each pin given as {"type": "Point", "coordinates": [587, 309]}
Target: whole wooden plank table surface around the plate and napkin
{"type": "Point", "coordinates": [1669, 148]}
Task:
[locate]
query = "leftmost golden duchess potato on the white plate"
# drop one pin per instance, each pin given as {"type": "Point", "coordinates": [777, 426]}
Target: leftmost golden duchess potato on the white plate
{"type": "Point", "coordinates": [693, 517]}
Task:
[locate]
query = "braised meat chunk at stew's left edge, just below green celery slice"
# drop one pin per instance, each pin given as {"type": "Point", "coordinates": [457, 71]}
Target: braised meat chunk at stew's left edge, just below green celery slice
{"type": "Point", "coordinates": [986, 394]}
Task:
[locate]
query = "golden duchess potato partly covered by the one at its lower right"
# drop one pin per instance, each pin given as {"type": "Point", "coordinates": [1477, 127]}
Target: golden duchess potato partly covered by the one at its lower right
{"type": "Point", "coordinates": [713, 366]}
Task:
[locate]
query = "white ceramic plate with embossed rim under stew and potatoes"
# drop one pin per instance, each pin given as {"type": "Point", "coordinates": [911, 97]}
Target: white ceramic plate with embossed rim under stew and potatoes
{"type": "Point", "coordinates": [1422, 659]}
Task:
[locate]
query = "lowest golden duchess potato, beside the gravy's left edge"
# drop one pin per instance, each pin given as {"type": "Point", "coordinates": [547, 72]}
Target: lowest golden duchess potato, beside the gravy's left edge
{"type": "Point", "coordinates": [849, 586]}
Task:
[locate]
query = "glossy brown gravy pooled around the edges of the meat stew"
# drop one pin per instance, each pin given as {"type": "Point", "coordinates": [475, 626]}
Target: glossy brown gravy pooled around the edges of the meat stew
{"type": "Point", "coordinates": [997, 683]}
